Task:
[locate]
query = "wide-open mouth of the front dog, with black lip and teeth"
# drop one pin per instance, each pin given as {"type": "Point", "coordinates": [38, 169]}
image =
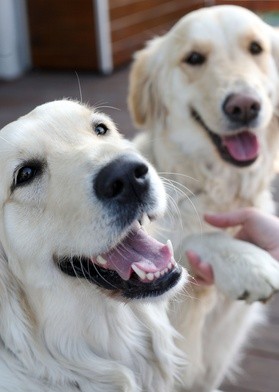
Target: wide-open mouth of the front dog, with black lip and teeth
{"type": "Point", "coordinates": [139, 266]}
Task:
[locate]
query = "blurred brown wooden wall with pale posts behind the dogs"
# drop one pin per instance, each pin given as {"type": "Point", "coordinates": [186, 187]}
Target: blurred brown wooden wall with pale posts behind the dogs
{"type": "Point", "coordinates": [95, 35]}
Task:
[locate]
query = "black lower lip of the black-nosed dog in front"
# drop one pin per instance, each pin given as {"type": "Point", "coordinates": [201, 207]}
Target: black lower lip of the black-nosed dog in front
{"type": "Point", "coordinates": [82, 267]}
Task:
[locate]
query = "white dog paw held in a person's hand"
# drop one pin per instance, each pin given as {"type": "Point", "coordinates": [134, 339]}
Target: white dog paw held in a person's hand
{"type": "Point", "coordinates": [241, 270]}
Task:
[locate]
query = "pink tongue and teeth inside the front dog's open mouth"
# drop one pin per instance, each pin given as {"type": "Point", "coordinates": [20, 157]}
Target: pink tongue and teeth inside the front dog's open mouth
{"type": "Point", "coordinates": [140, 252]}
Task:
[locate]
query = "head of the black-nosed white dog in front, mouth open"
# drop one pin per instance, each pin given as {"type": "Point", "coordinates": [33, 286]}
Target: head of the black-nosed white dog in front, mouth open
{"type": "Point", "coordinates": [72, 196]}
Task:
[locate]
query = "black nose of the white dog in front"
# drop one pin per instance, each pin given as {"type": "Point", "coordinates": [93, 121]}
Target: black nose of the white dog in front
{"type": "Point", "coordinates": [124, 179]}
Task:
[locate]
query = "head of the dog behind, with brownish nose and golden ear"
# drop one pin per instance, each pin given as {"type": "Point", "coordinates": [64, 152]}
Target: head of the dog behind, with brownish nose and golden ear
{"type": "Point", "coordinates": [215, 74]}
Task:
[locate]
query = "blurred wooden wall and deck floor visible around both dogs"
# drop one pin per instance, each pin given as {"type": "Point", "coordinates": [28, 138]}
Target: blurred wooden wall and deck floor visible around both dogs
{"type": "Point", "coordinates": [82, 49]}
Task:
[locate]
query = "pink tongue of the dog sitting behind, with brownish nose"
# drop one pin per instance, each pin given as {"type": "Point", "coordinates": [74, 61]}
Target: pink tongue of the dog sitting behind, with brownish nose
{"type": "Point", "coordinates": [243, 146]}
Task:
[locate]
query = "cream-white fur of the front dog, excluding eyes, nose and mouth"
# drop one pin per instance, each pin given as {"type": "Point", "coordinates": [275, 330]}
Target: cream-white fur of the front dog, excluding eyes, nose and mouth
{"type": "Point", "coordinates": [61, 333]}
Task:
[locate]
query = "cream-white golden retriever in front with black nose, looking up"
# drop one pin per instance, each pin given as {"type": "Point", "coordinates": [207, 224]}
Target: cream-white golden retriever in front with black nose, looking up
{"type": "Point", "coordinates": [79, 275]}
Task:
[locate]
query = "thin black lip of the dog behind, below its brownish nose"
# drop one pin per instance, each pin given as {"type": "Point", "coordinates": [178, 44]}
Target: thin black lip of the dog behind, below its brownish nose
{"type": "Point", "coordinates": [216, 139]}
